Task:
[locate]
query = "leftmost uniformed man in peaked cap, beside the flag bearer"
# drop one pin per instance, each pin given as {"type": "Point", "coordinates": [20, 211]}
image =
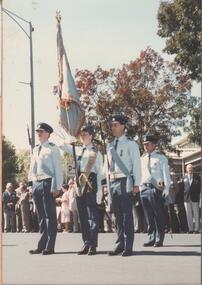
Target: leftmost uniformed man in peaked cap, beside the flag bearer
{"type": "Point", "coordinates": [46, 177]}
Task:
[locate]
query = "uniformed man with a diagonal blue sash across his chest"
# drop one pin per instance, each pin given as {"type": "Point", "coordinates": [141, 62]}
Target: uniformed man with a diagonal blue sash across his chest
{"type": "Point", "coordinates": [124, 175]}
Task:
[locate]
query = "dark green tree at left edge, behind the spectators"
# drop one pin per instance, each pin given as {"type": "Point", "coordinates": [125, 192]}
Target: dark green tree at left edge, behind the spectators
{"type": "Point", "coordinates": [9, 163]}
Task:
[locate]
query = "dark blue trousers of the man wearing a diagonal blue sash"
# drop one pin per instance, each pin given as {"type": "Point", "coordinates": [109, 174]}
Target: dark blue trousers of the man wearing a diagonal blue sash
{"type": "Point", "coordinates": [122, 206]}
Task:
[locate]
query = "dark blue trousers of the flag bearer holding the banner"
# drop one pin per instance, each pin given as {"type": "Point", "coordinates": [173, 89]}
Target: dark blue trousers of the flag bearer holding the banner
{"type": "Point", "coordinates": [88, 216]}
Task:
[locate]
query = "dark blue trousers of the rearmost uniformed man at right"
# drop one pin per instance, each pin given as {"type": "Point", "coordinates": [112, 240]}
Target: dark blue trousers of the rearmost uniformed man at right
{"type": "Point", "coordinates": [152, 203]}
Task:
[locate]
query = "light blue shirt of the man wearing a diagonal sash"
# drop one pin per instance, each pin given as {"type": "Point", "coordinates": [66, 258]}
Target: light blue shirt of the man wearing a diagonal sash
{"type": "Point", "coordinates": [129, 153]}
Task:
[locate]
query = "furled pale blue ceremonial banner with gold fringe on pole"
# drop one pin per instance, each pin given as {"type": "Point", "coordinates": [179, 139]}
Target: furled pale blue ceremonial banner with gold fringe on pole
{"type": "Point", "coordinates": [72, 115]}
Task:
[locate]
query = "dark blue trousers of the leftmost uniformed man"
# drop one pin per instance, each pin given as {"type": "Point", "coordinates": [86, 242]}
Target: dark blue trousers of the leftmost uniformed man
{"type": "Point", "coordinates": [46, 212]}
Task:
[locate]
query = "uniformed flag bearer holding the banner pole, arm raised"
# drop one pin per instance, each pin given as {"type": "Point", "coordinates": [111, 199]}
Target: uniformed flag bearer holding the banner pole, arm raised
{"type": "Point", "coordinates": [90, 165]}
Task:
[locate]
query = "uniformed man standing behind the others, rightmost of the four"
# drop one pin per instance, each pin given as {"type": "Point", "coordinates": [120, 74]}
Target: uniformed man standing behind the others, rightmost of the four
{"type": "Point", "coordinates": [154, 187]}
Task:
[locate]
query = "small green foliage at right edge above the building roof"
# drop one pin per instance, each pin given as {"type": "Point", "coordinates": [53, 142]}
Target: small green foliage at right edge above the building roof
{"type": "Point", "coordinates": [194, 127]}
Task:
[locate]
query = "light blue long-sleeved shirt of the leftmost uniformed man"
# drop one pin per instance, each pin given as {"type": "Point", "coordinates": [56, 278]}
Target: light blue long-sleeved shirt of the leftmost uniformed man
{"type": "Point", "coordinates": [46, 164]}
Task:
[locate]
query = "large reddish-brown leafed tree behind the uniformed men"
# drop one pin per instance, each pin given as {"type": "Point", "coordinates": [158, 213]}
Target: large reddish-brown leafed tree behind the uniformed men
{"type": "Point", "coordinates": [152, 92]}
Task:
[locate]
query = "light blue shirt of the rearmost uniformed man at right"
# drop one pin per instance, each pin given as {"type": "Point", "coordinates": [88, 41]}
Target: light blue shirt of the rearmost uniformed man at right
{"type": "Point", "coordinates": [158, 167]}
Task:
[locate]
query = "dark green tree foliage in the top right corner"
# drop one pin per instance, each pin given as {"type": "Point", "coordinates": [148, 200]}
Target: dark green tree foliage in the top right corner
{"type": "Point", "coordinates": [180, 22]}
